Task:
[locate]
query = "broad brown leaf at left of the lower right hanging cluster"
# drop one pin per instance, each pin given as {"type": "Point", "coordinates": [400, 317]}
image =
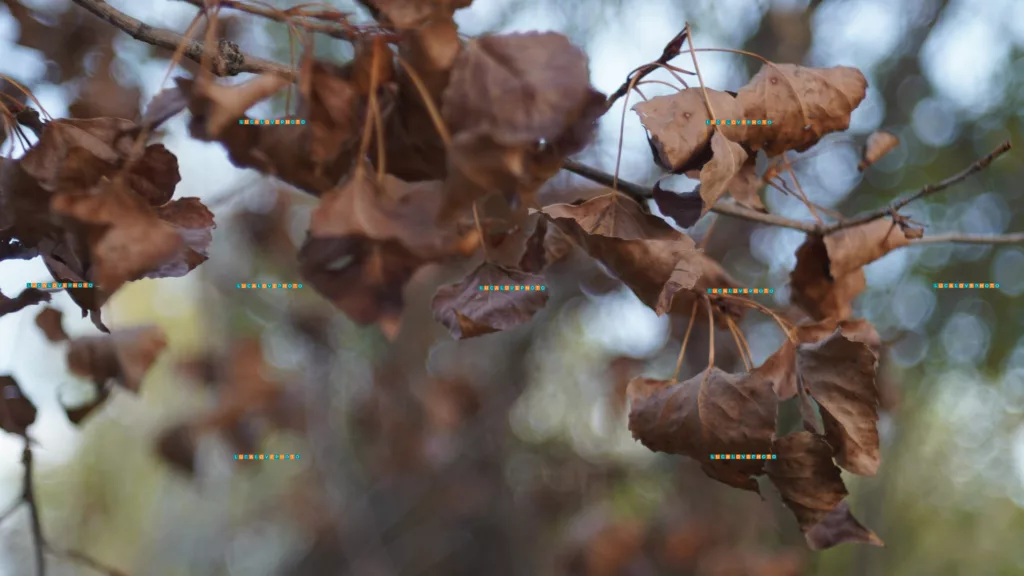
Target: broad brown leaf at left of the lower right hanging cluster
{"type": "Point", "coordinates": [710, 414]}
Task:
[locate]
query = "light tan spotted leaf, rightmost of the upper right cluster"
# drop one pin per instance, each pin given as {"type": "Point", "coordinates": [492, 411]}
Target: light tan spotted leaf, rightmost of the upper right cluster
{"type": "Point", "coordinates": [804, 105]}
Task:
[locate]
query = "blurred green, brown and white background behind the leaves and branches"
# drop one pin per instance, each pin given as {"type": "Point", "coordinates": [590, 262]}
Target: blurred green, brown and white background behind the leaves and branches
{"type": "Point", "coordinates": [509, 455]}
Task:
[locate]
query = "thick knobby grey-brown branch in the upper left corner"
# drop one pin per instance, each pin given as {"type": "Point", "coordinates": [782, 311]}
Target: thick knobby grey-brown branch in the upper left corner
{"type": "Point", "coordinates": [229, 61]}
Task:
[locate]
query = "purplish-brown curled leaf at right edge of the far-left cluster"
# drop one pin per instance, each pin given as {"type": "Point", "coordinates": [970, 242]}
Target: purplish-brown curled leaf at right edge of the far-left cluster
{"type": "Point", "coordinates": [195, 224]}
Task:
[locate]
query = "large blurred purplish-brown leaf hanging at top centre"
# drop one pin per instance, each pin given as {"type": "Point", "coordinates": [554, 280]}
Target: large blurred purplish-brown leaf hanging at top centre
{"type": "Point", "coordinates": [517, 105]}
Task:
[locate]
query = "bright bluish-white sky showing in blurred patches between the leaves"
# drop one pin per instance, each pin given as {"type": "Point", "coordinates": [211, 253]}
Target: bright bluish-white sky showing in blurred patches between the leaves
{"type": "Point", "coordinates": [963, 59]}
